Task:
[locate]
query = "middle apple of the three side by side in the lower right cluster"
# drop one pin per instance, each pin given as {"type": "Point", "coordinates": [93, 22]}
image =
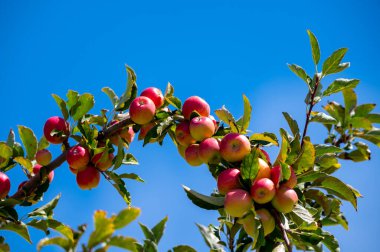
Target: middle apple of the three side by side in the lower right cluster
{"type": "Point", "coordinates": [263, 191]}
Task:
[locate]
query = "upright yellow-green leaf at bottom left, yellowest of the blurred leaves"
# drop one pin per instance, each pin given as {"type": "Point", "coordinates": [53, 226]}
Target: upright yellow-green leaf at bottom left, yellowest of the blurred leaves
{"type": "Point", "coordinates": [104, 228]}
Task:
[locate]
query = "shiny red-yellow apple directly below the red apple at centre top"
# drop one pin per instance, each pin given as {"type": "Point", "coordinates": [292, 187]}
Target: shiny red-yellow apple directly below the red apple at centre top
{"type": "Point", "coordinates": [201, 127]}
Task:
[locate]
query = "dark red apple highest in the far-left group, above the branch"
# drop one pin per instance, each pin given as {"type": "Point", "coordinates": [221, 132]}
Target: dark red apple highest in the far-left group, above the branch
{"type": "Point", "coordinates": [58, 127]}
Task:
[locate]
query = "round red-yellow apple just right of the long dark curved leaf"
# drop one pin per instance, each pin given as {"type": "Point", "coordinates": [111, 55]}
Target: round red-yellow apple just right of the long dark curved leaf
{"type": "Point", "coordinates": [237, 202]}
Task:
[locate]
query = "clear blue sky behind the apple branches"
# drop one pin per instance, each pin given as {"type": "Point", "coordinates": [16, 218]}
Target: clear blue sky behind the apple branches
{"type": "Point", "coordinates": [215, 49]}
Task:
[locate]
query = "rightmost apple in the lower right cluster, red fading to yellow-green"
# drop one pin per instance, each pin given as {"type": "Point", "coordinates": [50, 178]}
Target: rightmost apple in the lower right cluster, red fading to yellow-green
{"type": "Point", "coordinates": [285, 199]}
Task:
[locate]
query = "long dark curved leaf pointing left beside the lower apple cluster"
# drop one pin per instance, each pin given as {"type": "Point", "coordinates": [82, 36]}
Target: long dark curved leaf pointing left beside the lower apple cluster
{"type": "Point", "coordinates": [203, 201]}
